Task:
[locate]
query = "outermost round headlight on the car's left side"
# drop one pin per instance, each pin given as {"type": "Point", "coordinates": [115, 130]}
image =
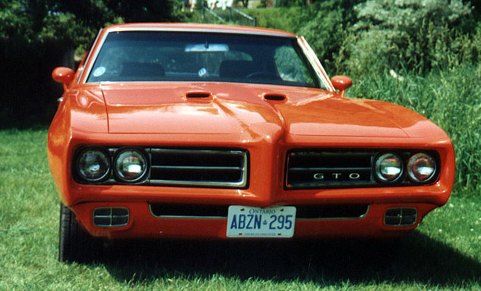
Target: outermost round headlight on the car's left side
{"type": "Point", "coordinates": [93, 165]}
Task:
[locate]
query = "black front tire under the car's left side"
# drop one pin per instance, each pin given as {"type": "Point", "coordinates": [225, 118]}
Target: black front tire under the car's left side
{"type": "Point", "coordinates": [75, 244]}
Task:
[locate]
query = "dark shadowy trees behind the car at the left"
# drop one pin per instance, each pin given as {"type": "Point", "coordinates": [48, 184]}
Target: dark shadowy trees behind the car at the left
{"type": "Point", "coordinates": [37, 35]}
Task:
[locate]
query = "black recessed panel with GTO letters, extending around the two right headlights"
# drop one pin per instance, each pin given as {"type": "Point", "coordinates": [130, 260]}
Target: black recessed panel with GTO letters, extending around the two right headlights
{"type": "Point", "coordinates": [344, 168]}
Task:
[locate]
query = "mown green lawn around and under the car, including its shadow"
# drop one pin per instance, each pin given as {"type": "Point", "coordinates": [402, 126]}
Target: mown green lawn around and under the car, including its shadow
{"type": "Point", "coordinates": [444, 253]}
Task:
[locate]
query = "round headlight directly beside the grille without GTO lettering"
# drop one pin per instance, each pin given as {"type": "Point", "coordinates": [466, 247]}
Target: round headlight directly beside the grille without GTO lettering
{"type": "Point", "coordinates": [130, 165]}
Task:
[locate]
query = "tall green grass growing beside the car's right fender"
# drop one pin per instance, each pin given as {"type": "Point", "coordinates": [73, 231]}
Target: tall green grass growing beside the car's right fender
{"type": "Point", "coordinates": [450, 99]}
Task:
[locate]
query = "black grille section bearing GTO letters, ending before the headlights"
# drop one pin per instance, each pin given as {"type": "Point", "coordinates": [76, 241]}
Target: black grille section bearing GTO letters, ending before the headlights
{"type": "Point", "coordinates": [322, 169]}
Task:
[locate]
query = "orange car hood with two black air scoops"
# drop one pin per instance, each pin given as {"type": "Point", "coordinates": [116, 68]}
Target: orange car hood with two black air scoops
{"type": "Point", "coordinates": [240, 108]}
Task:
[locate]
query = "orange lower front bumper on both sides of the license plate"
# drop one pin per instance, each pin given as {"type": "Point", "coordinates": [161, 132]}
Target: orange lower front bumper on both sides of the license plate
{"type": "Point", "coordinates": [142, 223]}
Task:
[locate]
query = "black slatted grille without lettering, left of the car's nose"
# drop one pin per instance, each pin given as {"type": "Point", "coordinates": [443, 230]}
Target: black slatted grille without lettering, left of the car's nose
{"type": "Point", "coordinates": [199, 167]}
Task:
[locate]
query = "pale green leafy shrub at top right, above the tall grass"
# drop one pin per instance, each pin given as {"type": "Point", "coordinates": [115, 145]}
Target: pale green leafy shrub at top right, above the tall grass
{"type": "Point", "coordinates": [411, 35]}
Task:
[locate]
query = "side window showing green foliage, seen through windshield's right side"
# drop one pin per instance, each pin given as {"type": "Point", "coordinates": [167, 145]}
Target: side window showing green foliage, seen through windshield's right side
{"type": "Point", "coordinates": [290, 66]}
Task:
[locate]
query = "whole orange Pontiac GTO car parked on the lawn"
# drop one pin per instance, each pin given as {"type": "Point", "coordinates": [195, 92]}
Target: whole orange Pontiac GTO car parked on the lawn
{"type": "Point", "coordinates": [209, 131]}
